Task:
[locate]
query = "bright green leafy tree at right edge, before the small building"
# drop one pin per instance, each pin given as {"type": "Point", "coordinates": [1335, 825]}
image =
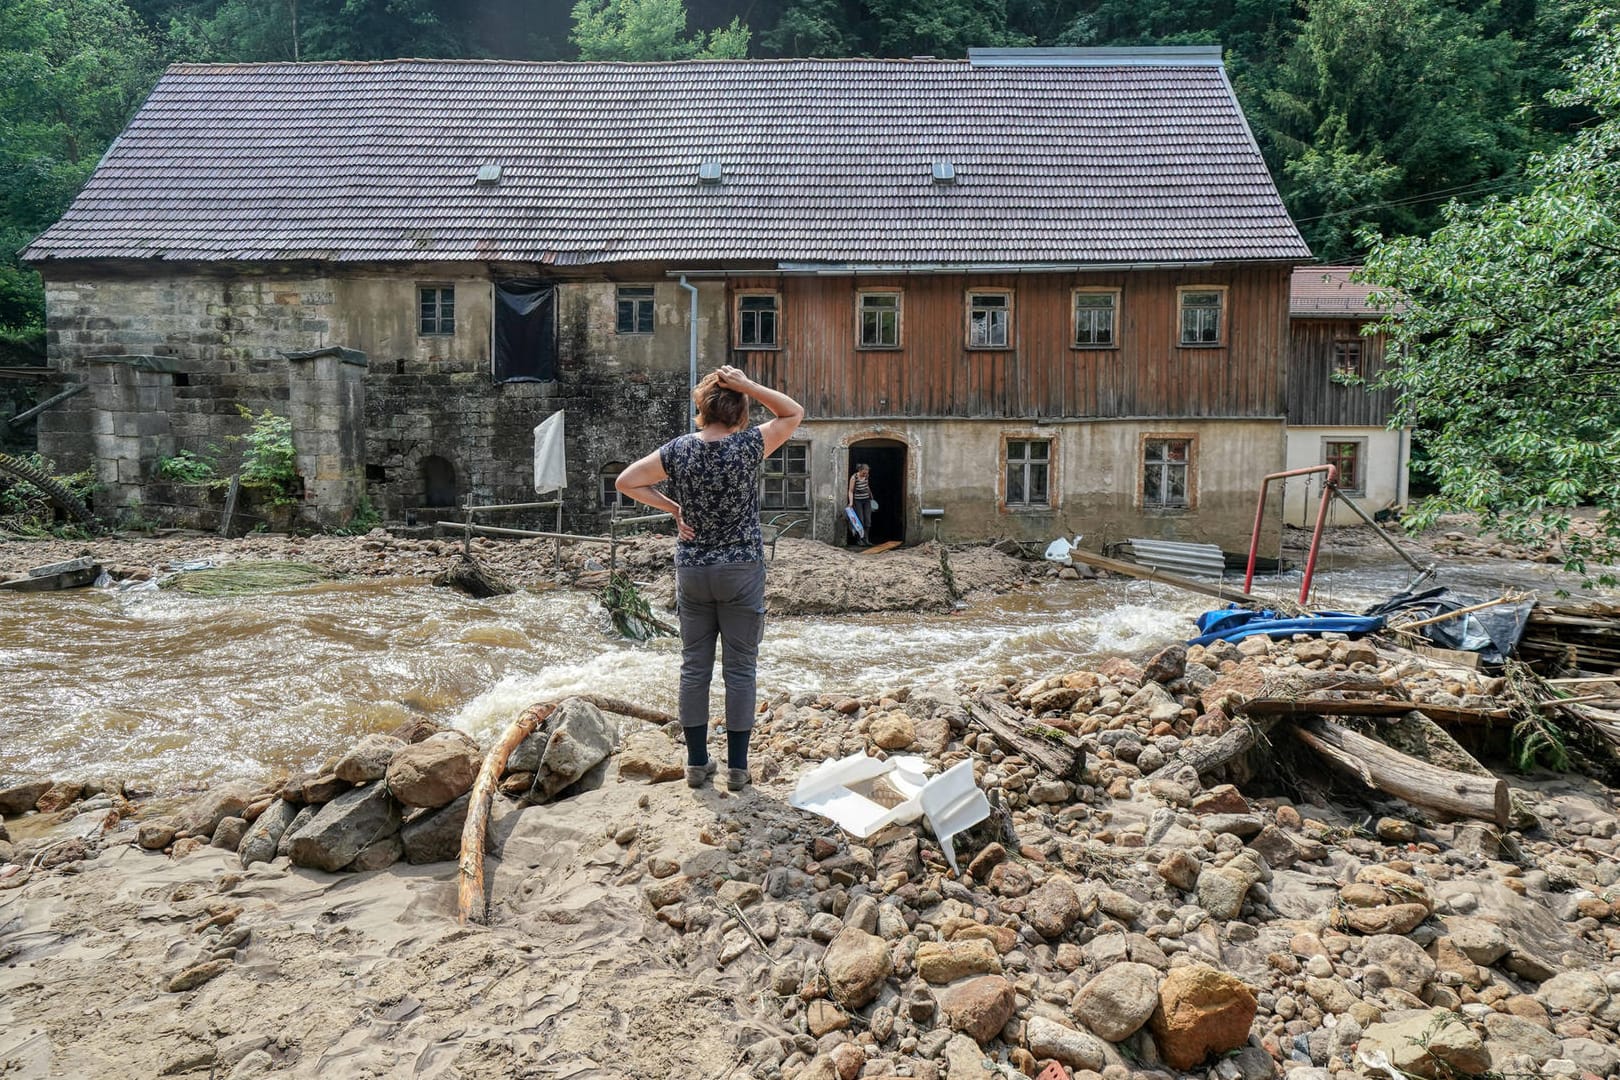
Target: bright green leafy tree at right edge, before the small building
{"type": "Point", "coordinates": [1507, 336]}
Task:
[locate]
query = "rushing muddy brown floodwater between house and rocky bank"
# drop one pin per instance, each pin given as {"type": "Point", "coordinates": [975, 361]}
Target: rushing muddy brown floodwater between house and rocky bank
{"type": "Point", "coordinates": [168, 689]}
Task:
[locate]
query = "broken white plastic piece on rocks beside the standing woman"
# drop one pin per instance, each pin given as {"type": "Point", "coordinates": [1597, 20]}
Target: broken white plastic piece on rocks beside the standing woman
{"type": "Point", "coordinates": [848, 793]}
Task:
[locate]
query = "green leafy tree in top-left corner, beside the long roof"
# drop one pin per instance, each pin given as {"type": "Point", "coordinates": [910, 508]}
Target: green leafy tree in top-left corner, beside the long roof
{"type": "Point", "coordinates": [74, 74]}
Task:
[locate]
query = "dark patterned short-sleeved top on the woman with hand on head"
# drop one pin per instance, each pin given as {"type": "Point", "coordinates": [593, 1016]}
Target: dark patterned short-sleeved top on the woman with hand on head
{"type": "Point", "coordinates": [718, 490]}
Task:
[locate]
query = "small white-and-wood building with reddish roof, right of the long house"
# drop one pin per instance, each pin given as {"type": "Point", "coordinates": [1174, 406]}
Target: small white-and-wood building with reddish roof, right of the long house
{"type": "Point", "coordinates": [1334, 419]}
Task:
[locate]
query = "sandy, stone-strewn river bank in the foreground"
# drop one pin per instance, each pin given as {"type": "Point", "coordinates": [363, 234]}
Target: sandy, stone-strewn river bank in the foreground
{"type": "Point", "coordinates": [1138, 919]}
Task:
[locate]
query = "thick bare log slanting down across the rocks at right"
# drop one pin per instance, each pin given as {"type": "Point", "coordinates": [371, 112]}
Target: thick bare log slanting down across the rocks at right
{"type": "Point", "coordinates": [1413, 781]}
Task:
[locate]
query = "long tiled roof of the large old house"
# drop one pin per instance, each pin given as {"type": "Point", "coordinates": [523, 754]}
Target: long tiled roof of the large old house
{"type": "Point", "coordinates": [825, 161]}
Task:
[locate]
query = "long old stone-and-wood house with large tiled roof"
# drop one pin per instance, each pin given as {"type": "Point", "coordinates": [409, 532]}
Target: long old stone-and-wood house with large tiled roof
{"type": "Point", "coordinates": [1039, 291]}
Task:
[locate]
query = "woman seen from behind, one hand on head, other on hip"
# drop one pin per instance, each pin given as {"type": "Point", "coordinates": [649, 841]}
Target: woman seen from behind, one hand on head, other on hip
{"type": "Point", "coordinates": [714, 493]}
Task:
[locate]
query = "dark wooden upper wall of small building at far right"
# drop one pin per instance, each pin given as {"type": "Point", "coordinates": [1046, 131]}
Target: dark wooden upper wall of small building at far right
{"type": "Point", "coordinates": [1318, 347]}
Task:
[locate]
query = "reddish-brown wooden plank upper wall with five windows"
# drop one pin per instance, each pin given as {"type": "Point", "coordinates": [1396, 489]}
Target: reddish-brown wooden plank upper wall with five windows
{"type": "Point", "coordinates": [934, 373]}
